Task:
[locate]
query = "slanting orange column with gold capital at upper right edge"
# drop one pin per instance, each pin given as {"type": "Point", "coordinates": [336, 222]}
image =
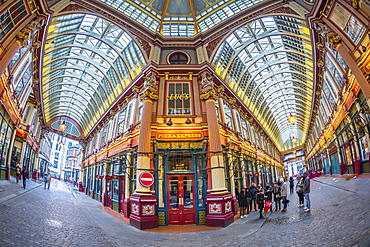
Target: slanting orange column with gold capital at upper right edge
{"type": "Point", "coordinates": [336, 43]}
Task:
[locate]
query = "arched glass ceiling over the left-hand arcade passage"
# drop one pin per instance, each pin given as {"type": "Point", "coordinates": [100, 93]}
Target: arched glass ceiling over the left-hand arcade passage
{"type": "Point", "coordinates": [88, 62]}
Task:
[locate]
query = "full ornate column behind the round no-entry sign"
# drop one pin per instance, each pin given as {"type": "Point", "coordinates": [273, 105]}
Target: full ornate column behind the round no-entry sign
{"type": "Point", "coordinates": [143, 201]}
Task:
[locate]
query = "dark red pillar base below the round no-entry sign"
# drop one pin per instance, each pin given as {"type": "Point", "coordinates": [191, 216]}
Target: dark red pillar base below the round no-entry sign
{"type": "Point", "coordinates": [143, 212]}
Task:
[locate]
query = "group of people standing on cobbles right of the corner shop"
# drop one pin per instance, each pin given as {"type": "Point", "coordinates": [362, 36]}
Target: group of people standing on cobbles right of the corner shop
{"type": "Point", "coordinates": [254, 197]}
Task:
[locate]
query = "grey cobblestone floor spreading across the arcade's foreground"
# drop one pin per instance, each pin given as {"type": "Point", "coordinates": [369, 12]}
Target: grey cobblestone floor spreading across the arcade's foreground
{"type": "Point", "coordinates": [59, 217]}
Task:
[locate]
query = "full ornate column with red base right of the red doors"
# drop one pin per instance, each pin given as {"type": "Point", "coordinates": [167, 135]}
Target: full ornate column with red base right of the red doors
{"type": "Point", "coordinates": [219, 200]}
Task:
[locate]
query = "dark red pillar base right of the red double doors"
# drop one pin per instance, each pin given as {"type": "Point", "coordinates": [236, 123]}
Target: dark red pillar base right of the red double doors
{"type": "Point", "coordinates": [219, 210]}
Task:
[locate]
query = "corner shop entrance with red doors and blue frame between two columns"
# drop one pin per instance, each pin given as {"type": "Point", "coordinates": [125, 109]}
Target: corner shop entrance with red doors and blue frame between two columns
{"type": "Point", "coordinates": [181, 182]}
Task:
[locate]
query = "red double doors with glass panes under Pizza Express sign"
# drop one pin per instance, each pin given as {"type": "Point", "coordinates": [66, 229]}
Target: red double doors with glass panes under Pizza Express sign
{"type": "Point", "coordinates": [181, 201]}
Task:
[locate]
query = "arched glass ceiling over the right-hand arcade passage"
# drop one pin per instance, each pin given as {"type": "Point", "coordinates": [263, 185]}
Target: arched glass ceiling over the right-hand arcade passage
{"type": "Point", "coordinates": [268, 63]}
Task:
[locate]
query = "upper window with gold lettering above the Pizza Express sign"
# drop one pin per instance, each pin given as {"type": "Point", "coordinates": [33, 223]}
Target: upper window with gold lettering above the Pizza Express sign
{"type": "Point", "coordinates": [178, 98]}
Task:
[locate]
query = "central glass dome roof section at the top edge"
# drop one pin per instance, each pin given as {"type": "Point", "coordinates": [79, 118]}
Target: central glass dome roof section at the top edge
{"type": "Point", "coordinates": [180, 17]}
